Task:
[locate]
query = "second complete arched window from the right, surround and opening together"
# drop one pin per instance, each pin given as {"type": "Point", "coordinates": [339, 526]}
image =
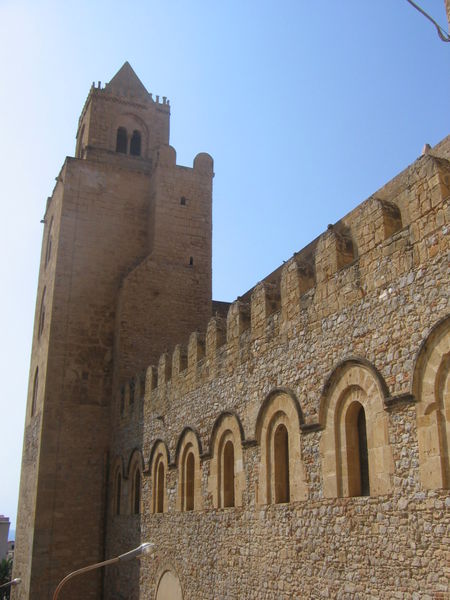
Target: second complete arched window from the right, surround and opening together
{"type": "Point", "coordinates": [281, 475]}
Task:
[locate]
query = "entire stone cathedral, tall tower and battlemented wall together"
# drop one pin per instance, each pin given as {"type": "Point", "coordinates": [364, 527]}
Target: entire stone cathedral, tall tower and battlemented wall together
{"type": "Point", "coordinates": [291, 444]}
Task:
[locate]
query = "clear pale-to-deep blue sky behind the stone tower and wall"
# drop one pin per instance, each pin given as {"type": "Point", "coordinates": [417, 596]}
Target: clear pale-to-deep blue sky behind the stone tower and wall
{"type": "Point", "coordinates": [306, 107]}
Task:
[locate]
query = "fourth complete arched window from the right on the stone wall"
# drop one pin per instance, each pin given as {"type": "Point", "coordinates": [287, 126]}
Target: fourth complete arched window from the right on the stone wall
{"type": "Point", "coordinates": [189, 486]}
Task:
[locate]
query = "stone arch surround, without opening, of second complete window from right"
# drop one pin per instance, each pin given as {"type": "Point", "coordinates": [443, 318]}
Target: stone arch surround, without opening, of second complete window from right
{"type": "Point", "coordinates": [280, 409]}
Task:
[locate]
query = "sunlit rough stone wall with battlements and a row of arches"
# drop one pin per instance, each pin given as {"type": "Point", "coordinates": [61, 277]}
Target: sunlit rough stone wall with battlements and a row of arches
{"type": "Point", "coordinates": [353, 311]}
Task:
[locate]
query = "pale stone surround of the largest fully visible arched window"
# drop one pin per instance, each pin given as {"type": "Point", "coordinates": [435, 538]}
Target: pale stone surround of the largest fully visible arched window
{"type": "Point", "coordinates": [353, 382]}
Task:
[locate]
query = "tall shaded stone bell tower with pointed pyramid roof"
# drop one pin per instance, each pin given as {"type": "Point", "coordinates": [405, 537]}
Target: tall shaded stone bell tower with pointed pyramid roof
{"type": "Point", "coordinates": [125, 274]}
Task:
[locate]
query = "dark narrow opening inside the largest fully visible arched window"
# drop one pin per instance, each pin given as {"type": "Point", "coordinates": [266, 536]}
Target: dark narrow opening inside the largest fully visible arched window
{"type": "Point", "coordinates": [357, 452]}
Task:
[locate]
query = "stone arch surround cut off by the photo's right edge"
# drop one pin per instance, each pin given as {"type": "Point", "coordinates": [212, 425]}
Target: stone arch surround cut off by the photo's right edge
{"type": "Point", "coordinates": [431, 387]}
